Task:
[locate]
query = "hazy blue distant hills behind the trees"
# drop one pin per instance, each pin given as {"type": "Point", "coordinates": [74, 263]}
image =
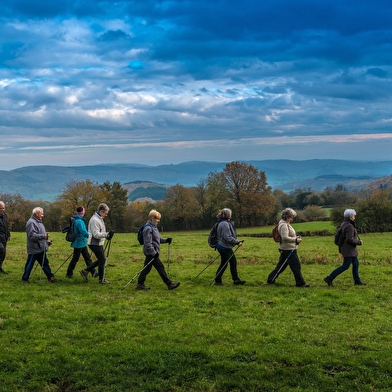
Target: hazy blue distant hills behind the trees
{"type": "Point", "coordinates": [46, 182]}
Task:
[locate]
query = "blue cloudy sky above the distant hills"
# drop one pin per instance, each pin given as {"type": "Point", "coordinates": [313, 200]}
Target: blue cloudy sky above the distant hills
{"type": "Point", "coordinates": [155, 81]}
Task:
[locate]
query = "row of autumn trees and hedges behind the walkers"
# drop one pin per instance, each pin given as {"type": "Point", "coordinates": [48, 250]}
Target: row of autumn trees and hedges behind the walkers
{"type": "Point", "coordinates": [239, 186]}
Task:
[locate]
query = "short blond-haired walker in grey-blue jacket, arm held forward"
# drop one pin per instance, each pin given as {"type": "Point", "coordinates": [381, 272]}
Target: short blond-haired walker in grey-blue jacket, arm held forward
{"type": "Point", "coordinates": [151, 248]}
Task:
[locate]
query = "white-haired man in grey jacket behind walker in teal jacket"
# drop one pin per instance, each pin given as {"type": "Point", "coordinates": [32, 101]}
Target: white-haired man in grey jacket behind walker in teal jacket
{"type": "Point", "coordinates": [37, 245]}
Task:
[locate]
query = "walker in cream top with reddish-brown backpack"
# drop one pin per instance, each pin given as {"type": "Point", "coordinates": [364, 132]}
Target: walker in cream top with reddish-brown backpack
{"type": "Point", "coordinates": [288, 250]}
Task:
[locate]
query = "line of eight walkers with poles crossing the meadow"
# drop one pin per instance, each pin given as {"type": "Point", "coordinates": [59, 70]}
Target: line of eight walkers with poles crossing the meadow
{"type": "Point", "coordinates": [94, 234]}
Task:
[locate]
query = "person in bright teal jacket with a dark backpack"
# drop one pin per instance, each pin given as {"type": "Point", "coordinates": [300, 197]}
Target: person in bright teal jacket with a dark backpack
{"type": "Point", "coordinates": [80, 244]}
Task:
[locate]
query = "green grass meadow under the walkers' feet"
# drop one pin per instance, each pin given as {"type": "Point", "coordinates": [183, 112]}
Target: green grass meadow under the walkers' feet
{"type": "Point", "coordinates": [77, 336]}
